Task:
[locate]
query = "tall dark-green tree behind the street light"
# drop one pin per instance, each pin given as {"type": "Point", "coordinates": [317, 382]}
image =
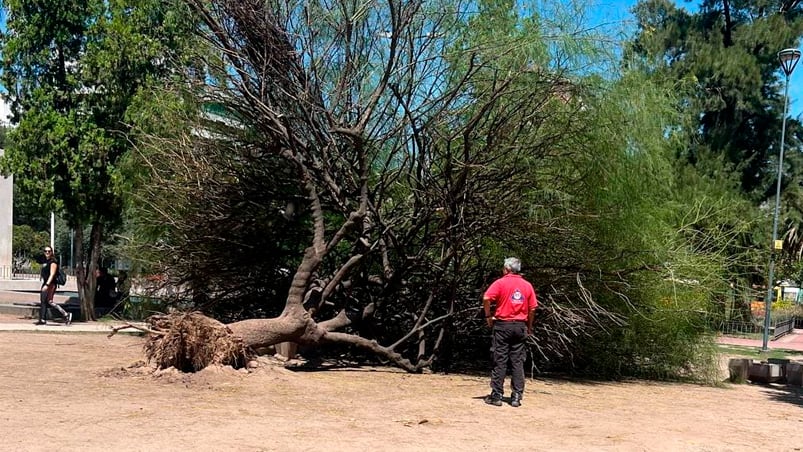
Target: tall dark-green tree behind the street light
{"type": "Point", "coordinates": [725, 55]}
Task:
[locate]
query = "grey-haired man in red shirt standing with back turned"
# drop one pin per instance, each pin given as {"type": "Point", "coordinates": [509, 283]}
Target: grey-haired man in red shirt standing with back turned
{"type": "Point", "coordinates": [512, 322]}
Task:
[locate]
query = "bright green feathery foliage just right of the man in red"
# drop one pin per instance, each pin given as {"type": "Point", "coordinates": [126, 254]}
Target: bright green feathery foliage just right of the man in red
{"type": "Point", "coordinates": [612, 216]}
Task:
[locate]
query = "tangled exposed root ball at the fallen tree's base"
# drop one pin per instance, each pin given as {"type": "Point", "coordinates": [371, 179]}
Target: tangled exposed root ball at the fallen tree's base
{"type": "Point", "coordinates": [192, 341]}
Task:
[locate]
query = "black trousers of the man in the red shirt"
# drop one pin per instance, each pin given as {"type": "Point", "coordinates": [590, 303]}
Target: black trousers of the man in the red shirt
{"type": "Point", "coordinates": [508, 347]}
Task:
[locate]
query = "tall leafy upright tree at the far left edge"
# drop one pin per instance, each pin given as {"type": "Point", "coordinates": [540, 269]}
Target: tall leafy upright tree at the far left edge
{"type": "Point", "coordinates": [71, 69]}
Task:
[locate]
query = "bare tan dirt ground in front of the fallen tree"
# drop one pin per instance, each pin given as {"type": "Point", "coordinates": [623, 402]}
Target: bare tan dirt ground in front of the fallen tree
{"type": "Point", "coordinates": [84, 392]}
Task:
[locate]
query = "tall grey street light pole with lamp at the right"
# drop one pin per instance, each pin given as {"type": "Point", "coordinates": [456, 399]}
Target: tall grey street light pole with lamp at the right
{"type": "Point", "coordinates": [788, 59]}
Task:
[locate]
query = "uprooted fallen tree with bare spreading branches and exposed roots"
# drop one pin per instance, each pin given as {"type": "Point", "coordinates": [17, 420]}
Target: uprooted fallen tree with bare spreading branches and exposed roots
{"type": "Point", "coordinates": [355, 175]}
